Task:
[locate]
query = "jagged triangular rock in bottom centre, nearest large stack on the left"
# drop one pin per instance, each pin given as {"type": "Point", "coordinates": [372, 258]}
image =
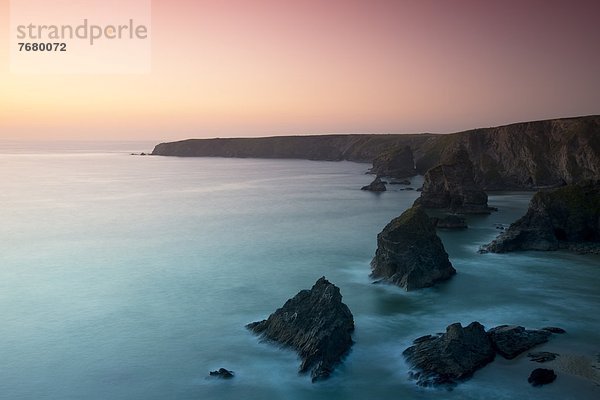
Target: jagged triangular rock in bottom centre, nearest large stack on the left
{"type": "Point", "coordinates": [316, 324]}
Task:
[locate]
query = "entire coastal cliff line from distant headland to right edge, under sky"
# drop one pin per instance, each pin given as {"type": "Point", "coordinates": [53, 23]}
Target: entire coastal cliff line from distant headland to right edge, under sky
{"type": "Point", "coordinates": [517, 156]}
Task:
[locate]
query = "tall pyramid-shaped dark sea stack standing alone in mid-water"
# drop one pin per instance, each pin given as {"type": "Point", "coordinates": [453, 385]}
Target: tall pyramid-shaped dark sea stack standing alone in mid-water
{"type": "Point", "coordinates": [409, 252]}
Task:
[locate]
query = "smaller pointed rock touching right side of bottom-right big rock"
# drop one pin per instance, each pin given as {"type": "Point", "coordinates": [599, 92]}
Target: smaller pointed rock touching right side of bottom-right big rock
{"type": "Point", "coordinates": [510, 341]}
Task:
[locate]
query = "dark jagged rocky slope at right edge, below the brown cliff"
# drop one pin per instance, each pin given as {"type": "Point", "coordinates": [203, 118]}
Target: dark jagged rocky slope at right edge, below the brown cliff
{"type": "Point", "coordinates": [555, 219]}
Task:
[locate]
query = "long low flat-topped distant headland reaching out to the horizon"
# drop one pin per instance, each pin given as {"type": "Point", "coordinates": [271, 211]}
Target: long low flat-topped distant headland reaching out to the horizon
{"type": "Point", "coordinates": [362, 148]}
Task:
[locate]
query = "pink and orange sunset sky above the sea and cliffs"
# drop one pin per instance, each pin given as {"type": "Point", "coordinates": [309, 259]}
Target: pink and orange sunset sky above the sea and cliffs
{"type": "Point", "coordinates": [282, 67]}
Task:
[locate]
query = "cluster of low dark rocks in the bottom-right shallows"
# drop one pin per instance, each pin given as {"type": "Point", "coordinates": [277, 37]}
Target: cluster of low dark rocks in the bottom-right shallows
{"type": "Point", "coordinates": [450, 357]}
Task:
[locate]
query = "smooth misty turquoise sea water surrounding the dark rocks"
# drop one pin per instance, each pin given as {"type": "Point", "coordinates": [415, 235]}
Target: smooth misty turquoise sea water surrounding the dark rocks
{"type": "Point", "coordinates": [127, 277]}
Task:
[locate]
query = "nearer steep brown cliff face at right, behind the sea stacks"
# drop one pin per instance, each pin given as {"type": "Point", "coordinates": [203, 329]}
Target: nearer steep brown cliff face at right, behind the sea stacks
{"type": "Point", "coordinates": [525, 155]}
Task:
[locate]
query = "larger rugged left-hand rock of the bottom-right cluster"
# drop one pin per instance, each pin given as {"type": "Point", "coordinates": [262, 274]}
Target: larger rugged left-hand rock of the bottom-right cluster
{"type": "Point", "coordinates": [450, 357]}
